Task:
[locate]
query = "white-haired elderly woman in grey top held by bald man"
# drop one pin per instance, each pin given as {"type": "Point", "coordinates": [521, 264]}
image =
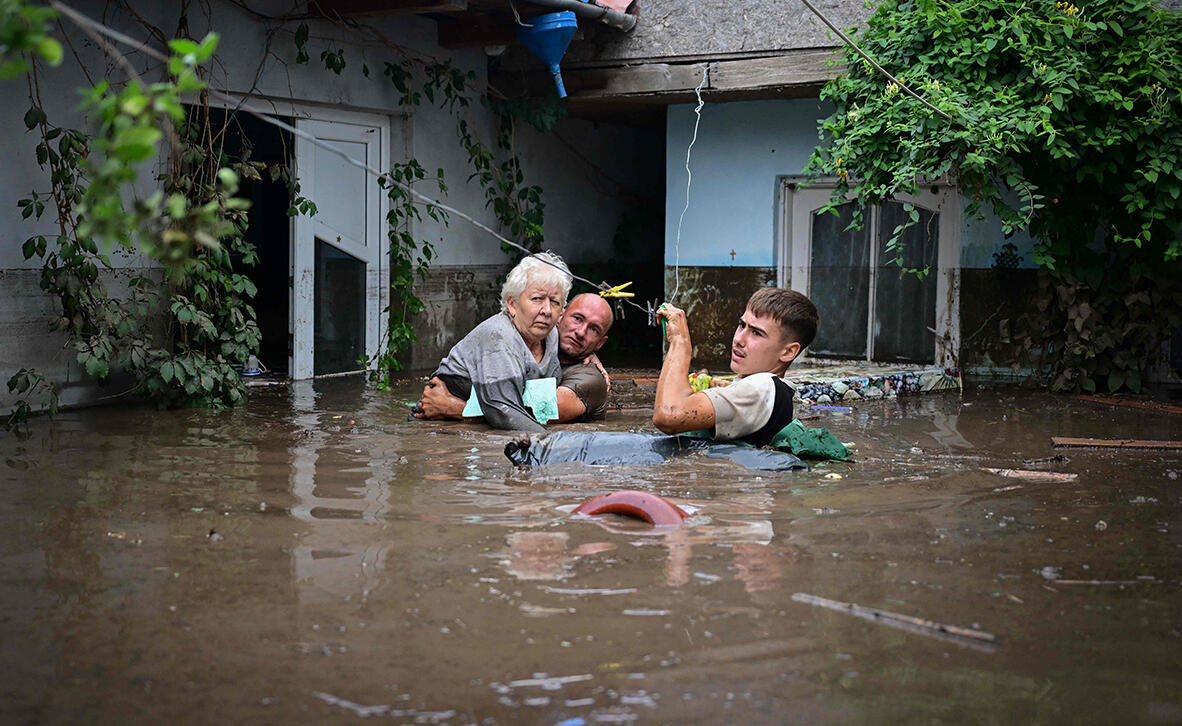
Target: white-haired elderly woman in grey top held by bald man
{"type": "Point", "coordinates": [517, 345]}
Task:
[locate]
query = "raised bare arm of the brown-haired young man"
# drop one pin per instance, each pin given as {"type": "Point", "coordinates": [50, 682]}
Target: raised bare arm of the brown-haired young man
{"type": "Point", "coordinates": [678, 409]}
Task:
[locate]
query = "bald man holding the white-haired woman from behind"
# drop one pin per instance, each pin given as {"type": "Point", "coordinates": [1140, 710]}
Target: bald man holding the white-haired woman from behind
{"type": "Point", "coordinates": [583, 390]}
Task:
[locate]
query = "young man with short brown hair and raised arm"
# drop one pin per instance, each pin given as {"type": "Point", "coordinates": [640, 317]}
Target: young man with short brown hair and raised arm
{"type": "Point", "coordinates": [777, 326]}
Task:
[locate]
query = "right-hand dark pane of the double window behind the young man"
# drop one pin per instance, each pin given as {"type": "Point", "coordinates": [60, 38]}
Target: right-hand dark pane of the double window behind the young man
{"type": "Point", "coordinates": [905, 304]}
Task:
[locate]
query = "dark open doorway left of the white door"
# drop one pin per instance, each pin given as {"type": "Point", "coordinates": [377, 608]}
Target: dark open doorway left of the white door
{"type": "Point", "coordinates": [270, 229]}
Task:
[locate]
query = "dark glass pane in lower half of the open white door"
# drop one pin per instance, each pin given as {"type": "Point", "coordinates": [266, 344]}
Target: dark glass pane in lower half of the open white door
{"type": "Point", "coordinates": [340, 295]}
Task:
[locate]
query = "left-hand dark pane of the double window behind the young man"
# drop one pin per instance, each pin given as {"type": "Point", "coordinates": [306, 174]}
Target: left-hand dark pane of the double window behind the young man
{"type": "Point", "coordinates": [840, 284]}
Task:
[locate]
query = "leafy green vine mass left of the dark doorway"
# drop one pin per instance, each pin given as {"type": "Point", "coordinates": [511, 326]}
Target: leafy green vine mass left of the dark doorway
{"type": "Point", "coordinates": [178, 335]}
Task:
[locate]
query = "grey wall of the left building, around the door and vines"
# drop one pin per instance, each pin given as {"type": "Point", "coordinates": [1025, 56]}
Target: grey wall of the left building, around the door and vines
{"type": "Point", "coordinates": [590, 173]}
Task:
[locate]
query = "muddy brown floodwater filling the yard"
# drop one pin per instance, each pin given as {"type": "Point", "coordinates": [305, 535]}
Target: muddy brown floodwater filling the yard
{"type": "Point", "coordinates": [315, 558]}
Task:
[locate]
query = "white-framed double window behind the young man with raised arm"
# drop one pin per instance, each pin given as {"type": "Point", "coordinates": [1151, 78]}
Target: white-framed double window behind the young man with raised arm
{"type": "Point", "coordinates": [871, 309]}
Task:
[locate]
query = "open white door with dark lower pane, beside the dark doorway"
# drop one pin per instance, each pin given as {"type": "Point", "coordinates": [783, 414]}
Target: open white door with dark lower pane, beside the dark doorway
{"type": "Point", "coordinates": [337, 257]}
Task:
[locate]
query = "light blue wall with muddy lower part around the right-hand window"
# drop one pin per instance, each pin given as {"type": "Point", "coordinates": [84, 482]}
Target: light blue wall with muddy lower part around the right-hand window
{"type": "Point", "coordinates": [742, 154]}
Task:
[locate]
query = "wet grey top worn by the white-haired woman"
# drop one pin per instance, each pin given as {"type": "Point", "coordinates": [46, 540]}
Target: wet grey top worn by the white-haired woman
{"type": "Point", "coordinates": [495, 361]}
